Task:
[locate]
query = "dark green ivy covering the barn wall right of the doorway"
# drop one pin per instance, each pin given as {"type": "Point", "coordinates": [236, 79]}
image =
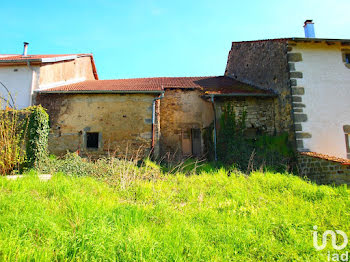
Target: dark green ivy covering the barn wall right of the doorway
{"type": "Point", "coordinates": [233, 147]}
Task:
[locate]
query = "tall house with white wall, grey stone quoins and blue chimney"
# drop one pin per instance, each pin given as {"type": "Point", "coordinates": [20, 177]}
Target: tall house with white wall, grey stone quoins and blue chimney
{"type": "Point", "coordinates": [311, 76]}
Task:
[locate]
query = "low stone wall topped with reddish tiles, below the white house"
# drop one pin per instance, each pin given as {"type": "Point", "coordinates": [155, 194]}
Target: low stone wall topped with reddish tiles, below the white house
{"type": "Point", "coordinates": [324, 169]}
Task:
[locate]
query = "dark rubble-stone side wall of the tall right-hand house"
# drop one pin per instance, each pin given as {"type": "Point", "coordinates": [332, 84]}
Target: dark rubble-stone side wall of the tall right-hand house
{"type": "Point", "coordinates": [264, 64]}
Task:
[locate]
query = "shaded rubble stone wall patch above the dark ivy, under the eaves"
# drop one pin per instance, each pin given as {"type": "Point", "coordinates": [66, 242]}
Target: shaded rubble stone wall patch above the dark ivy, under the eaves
{"type": "Point", "coordinates": [260, 114]}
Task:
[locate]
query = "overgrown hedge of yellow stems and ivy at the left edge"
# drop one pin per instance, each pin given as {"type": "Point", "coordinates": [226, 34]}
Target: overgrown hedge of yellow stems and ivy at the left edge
{"type": "Point", "coordinates": [23, 138]}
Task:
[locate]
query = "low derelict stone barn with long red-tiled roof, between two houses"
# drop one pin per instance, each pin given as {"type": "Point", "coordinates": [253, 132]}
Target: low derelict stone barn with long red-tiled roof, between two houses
{"type": "Point", "coordinates": [165, 115]}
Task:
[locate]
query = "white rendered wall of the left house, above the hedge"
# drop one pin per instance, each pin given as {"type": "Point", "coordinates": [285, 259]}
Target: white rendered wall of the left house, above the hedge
{"type": "Point", "coordinates": [18, 79]}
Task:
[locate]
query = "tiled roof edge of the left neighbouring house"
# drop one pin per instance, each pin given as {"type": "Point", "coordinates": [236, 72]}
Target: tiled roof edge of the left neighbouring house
{"type": "Point", "coordinates": [11, 59]}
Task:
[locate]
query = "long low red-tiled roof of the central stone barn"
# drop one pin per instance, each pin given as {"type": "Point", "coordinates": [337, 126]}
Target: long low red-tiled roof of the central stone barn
{"type": "Point", "coordinates": [215, 85]}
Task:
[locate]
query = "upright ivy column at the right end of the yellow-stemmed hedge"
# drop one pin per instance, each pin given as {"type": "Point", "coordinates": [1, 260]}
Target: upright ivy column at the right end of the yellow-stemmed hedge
{"type": "Point", "coordinates": [37, 136]}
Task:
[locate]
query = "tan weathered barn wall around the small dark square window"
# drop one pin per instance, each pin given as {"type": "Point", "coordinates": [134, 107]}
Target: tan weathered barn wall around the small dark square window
{"type": "Point", "coordinates": [124, 122]}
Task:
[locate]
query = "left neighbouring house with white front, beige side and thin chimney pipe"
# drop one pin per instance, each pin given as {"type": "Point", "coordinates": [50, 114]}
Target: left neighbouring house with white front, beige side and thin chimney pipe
{"type": "Point", "coordinates": [21, 75]}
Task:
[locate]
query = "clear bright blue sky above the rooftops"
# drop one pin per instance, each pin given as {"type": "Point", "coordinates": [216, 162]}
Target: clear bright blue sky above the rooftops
{"type": "Point", "coordinates": [148, 38]}
